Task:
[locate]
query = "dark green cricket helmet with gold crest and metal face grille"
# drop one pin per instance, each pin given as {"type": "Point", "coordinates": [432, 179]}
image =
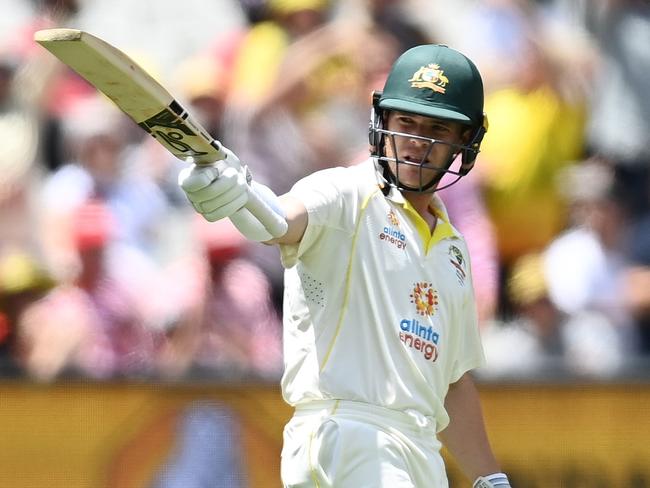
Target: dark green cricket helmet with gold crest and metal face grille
{"type": "Point", "coordinates": [433, 81]}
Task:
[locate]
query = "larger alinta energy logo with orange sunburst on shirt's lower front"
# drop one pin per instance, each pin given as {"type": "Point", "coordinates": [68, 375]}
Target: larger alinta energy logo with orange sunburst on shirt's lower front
{"type": "Point", "coordinates": [417, 335]}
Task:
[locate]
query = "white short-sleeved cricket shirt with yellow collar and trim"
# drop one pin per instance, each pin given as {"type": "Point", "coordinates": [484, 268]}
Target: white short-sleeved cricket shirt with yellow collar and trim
{"type": "Point", "coordinates": [376, 309]}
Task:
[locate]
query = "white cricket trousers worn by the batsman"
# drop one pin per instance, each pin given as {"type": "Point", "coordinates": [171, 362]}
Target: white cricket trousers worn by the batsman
{"type": "Point", "coordinates": [347, 444]}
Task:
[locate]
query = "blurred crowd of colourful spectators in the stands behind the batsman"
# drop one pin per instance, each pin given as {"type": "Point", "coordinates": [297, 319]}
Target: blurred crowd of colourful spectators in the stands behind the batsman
{"type": "Point", "coordinates": [106, 272]}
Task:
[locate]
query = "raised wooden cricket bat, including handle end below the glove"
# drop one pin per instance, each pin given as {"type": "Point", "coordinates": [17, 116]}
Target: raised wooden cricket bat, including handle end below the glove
{"type": "Point", "coordinates": [147, 102]}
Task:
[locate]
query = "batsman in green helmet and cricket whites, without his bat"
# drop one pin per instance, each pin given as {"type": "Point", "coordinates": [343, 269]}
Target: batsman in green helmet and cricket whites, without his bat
{"type": "Point", "coordinates": [380, 325]}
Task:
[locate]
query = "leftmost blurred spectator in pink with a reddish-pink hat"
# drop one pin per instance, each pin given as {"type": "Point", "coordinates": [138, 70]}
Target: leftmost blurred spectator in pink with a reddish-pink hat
{"type": "Point", "coordinates": [91, 326]}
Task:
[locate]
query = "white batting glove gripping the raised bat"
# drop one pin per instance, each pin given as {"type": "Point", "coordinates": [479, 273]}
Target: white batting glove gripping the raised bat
{"type": "Point", "coordinates": [216, 191]}
